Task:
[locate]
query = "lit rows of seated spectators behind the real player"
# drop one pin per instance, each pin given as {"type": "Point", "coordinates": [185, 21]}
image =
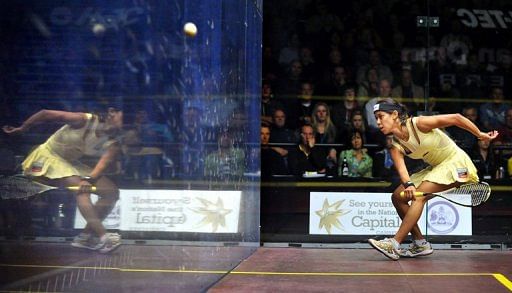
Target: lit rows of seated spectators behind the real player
{"type": "Point", "coordinates": [324, 137]}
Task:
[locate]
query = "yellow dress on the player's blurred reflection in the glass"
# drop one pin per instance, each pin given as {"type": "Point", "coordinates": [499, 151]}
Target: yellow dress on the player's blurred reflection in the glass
{"type": "Point", "coordinates": [59, 156]}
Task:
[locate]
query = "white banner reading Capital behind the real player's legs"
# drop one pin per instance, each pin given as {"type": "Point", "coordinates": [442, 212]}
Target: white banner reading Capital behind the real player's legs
{"type": "Point", "coordinates": [353, 213]}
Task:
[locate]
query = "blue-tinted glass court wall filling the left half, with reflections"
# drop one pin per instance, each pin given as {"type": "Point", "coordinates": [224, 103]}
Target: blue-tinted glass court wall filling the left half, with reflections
{"type": "Point", "coordinates": [189, 167]}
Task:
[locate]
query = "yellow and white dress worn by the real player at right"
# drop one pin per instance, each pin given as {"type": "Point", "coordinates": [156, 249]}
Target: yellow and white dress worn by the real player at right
{"type": "Point", "coordinates": [448, 163]}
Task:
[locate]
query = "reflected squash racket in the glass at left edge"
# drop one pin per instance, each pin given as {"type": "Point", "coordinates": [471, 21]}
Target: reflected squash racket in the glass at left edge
{"type": "Point", "coordinates": [15, 187]}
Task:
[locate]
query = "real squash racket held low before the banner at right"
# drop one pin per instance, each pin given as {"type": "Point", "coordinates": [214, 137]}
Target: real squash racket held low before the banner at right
{"type": "Point", "coordinates": [479, 193]}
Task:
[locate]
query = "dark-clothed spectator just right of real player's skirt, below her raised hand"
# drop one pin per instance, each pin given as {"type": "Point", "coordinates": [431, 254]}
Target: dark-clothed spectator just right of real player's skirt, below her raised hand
{"type": "Point", "coordinates": [484, 160]}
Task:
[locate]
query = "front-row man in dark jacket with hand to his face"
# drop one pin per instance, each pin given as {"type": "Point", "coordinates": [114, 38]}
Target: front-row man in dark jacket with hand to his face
{"type": "Point", "coordinates": [306, 157]}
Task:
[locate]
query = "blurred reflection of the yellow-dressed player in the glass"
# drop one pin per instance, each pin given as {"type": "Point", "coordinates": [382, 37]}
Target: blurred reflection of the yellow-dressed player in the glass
{"type": "Point", "coordinates": [56, 162]}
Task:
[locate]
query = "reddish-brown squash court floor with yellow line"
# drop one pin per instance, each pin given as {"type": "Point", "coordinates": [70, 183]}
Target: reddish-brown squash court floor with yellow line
{"type": "Point", "coordinates": [57, 267]}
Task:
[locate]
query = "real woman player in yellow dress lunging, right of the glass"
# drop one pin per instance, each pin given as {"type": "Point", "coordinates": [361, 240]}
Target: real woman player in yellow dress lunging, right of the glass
{"type": "Point", "coordinates": [449, 166]}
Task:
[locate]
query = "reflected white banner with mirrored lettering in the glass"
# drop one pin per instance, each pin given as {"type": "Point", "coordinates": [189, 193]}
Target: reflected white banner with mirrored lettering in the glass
{"type": "Point", "coordinates": [174, 210]}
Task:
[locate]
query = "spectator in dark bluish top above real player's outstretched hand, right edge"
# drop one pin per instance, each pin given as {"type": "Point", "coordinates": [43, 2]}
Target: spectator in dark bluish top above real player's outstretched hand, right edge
{"type": "Point", "coordinates": [492, 114]}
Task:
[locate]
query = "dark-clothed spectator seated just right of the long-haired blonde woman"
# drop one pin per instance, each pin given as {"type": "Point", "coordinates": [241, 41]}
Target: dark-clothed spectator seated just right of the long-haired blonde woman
{"type": "Point", "coordinates": [342, 112]}
